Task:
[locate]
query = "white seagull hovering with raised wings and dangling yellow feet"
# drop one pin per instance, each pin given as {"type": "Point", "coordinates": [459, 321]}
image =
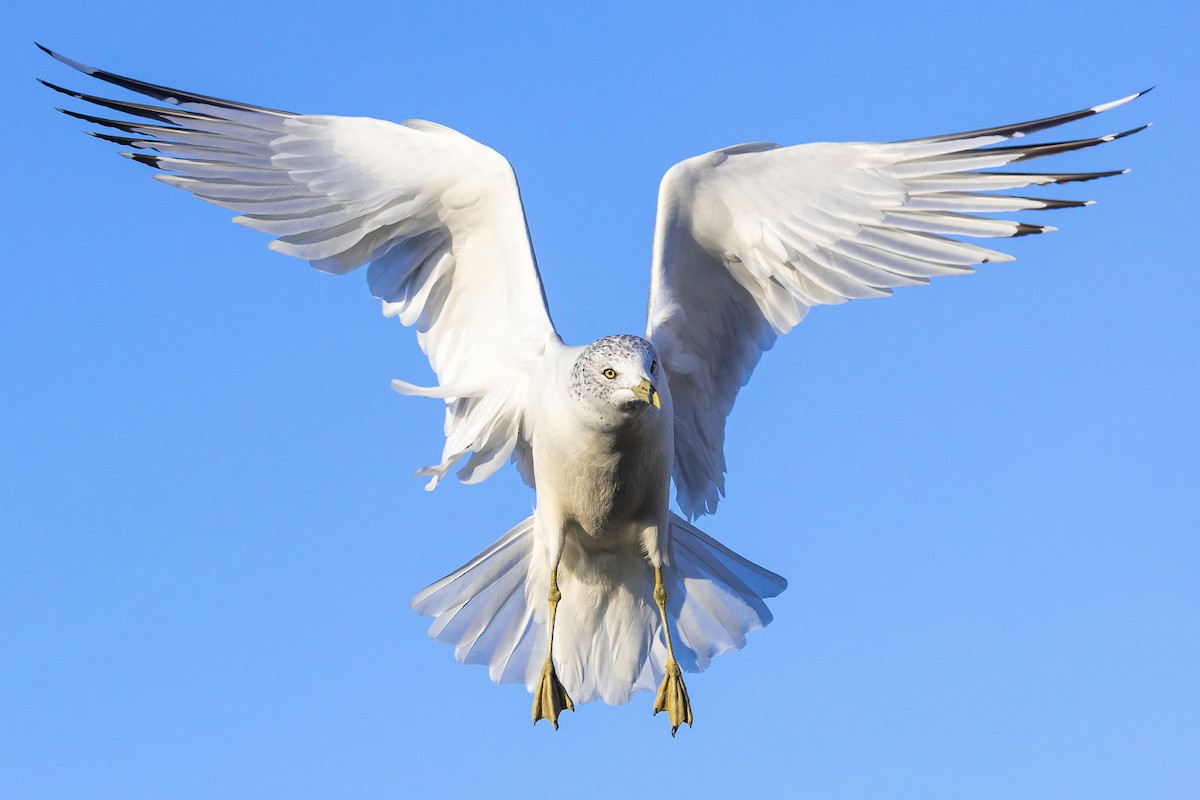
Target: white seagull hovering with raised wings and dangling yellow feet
{"type": "Point", "coordinates": [603, 592]}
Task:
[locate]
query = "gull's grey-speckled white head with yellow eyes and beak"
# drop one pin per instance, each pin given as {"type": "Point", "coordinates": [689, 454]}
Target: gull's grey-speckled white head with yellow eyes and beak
{"type": "Point", "coordinates": [620, 372]}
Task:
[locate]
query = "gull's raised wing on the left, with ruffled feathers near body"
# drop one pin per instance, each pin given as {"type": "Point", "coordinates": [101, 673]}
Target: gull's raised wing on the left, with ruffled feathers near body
{"type": "Point", "coordinates": [436, 214]}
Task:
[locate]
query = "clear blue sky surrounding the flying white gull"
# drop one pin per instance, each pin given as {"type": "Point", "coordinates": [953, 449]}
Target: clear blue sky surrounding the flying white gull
{"type": "Point", "coordinates": [986, 492]}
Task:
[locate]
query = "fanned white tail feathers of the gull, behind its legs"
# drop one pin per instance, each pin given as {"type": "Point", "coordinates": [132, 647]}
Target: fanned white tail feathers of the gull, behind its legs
{"type": "Point", "coordinates": [608, 637]}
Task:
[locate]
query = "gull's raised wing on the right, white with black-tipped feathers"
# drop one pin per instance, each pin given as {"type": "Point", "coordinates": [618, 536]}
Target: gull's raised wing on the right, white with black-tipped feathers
{"type": "Point", "coordinates": [751, 238]}
